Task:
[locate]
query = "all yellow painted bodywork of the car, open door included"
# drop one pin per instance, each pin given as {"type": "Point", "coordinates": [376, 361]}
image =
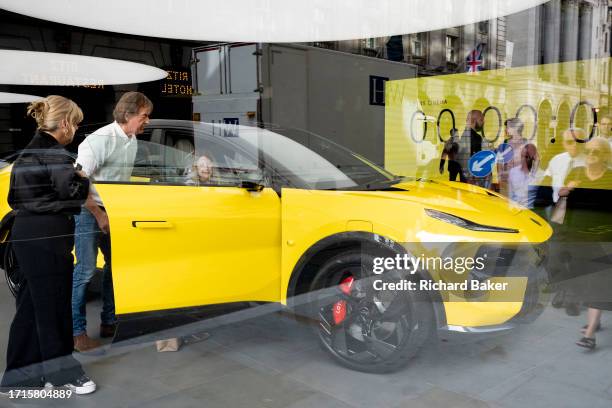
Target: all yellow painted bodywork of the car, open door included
{"type": "Point", "coordinates": [185, 246]}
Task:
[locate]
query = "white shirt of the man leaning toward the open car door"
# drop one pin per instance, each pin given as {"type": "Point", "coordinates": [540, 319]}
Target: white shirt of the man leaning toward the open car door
{"type": "Point", "coordinates": [107, 154]}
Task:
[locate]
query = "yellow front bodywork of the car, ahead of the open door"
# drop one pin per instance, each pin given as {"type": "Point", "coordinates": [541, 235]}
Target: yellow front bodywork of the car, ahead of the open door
{"type": "Point", "coordinates": [309, 216]}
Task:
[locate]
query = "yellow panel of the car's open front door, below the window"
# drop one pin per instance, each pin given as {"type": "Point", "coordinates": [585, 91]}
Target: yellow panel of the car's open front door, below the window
{"type": "Point", "coordinates": [182, 246]}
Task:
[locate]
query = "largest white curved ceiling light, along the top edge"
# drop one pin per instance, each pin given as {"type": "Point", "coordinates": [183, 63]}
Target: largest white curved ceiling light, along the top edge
{"type": "Point", "coordinates": [269, 20]}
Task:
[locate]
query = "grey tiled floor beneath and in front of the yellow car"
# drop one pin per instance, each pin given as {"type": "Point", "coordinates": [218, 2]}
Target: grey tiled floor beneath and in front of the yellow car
{"type": "Point", "coordinates": [262, 358]}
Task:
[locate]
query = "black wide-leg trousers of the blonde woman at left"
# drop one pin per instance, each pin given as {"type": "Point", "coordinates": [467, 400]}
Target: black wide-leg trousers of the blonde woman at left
{"type": "Point", "coordinates": [40, 340]}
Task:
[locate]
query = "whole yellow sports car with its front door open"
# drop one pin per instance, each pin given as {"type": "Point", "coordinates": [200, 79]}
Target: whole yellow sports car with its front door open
{"type": "Point", "coordinates": [222, 213]}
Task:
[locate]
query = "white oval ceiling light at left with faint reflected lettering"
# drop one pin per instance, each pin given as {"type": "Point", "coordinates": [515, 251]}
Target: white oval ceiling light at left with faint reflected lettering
{"type": "Point", "coordinates": [46, 68]}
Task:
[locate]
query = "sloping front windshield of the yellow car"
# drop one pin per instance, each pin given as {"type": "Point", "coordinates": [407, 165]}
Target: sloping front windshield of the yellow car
{"type": "Point", "coordinates": [304, 159]}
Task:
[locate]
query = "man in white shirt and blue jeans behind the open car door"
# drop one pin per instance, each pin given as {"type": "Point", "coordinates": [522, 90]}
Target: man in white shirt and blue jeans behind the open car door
{"type": "Point", "coordinates": [107, 154]}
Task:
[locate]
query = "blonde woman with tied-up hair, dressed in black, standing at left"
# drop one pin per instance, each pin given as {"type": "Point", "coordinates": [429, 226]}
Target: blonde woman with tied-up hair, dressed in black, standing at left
{"type": "Point", "coordinates": [45, 192]}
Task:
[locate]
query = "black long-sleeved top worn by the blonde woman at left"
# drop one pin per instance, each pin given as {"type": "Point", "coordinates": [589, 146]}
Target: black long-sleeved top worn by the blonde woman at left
{"type": "Point", "coordinates": [44, 181]}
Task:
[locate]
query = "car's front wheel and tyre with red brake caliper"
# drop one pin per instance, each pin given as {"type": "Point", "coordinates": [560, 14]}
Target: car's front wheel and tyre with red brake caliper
{"type": "Point", "coordinates": [381, 330]}
